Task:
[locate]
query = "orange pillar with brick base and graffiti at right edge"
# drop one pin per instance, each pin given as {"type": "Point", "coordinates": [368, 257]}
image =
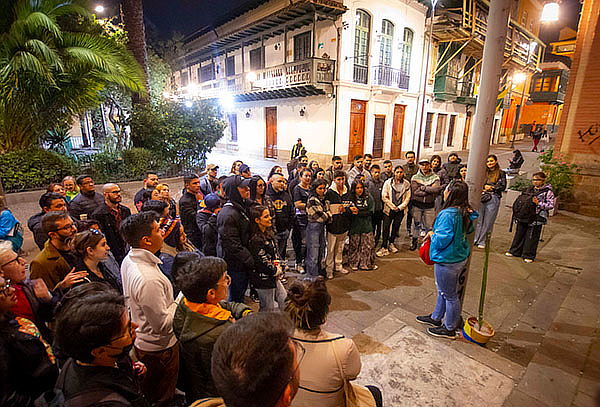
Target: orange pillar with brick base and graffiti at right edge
{"type": "Point", "coordinates": [579, 132]}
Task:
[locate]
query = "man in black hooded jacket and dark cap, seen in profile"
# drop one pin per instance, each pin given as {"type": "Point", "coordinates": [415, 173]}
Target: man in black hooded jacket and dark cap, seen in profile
{"type": "Point", "coordinates": [233, 224]}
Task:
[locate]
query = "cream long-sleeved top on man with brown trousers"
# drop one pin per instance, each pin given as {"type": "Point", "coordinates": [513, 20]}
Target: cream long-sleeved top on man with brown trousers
{"type": "Point", "coordinates": [149, 295]}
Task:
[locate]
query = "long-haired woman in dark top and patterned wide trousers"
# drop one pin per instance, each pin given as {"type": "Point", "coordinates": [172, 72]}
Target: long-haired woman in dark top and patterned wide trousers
{"type": "Point", "coordinates": [361, 252]}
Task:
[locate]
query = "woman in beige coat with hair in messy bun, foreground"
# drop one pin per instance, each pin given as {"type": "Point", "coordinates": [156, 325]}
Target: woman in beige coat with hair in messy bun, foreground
{"type": "Point", "coordinates": [321, 381]}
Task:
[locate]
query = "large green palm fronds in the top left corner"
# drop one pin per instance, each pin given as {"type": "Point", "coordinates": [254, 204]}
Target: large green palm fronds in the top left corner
{"type": "Point", "coordinates": [54, 63]}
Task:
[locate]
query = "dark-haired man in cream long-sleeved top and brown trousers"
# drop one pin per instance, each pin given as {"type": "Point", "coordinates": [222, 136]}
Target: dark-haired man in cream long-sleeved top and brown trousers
{"type": "Point", "coordinates": [149, 296]}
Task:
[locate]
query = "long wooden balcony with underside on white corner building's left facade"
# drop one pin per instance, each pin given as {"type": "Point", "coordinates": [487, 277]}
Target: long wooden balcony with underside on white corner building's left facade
{"type": "Point", "coordinates": [312, 76]}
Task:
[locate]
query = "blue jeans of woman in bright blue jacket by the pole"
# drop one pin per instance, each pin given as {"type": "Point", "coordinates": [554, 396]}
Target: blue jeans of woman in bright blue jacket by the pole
{"type": "Point", "coordinates": [448, 301]}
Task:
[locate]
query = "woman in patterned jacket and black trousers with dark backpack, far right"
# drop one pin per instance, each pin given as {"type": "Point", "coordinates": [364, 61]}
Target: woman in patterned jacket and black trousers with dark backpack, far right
{"type": "Point", "coordinates": [529, 220]}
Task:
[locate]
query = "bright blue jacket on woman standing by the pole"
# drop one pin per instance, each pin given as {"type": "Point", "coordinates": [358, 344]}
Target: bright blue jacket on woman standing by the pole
{"type": "Point", "coordinates": [449, 243]}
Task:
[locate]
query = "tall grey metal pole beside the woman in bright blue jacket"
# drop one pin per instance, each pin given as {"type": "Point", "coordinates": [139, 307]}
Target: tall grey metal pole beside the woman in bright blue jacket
{"type": "Point", "coordinates": [491, 73]}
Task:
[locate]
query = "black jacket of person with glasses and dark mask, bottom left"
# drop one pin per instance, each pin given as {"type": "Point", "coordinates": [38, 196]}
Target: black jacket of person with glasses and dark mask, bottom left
{"type": "Point", "coordinates": [117, 383]}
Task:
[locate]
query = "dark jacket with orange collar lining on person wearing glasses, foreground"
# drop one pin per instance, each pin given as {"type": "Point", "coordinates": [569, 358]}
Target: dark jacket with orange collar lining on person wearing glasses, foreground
{"type": "Point", "coordinates": [197, 335]}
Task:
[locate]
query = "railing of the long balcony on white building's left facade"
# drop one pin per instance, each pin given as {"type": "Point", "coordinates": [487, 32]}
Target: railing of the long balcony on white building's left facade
{"type": "Point", "coordinates": [311, 71]}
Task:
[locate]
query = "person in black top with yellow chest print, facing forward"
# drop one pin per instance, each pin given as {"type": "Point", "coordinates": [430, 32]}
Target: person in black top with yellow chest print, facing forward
{"type": "Point", "coordinates": [284, 211]}
